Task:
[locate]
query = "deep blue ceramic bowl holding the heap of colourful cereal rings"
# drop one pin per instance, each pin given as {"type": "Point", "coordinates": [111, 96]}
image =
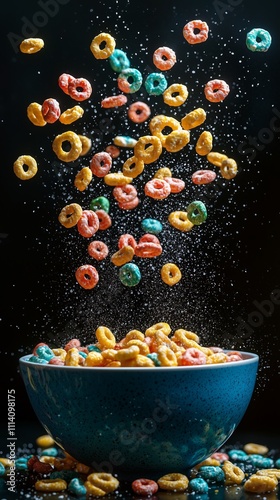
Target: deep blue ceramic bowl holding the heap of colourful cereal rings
{"type": "Point", "coordinates": [140, 422]}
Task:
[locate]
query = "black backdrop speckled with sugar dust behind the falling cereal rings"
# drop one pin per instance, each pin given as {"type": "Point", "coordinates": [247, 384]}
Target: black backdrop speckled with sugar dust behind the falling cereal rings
{"type": "Point", "coordinates": [230, 264]}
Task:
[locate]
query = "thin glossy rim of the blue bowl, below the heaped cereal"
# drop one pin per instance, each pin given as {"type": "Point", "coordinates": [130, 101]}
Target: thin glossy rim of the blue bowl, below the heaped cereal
{"type": "Point", "coordinates": [249, 358]}
